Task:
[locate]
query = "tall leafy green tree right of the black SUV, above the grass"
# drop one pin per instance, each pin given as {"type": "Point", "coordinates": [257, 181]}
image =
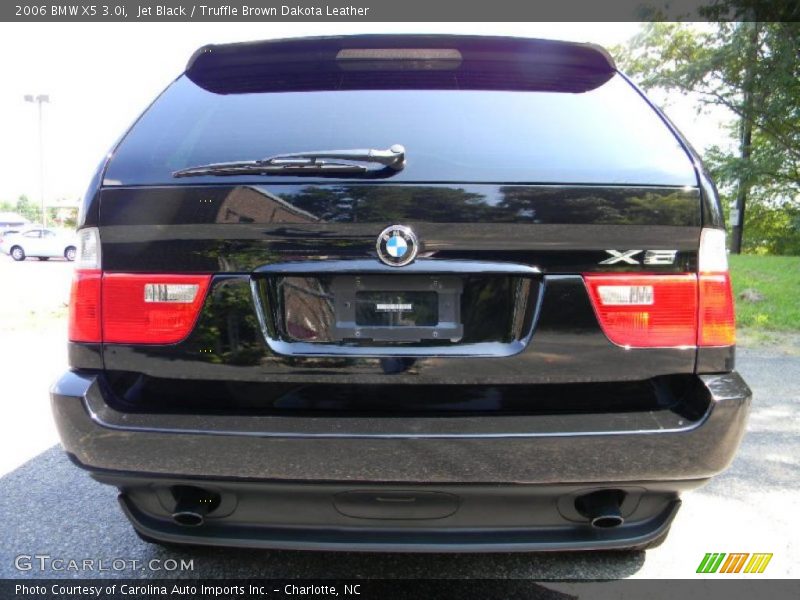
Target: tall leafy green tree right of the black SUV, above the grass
{"type": "Point", "coordinates": [752, 69]}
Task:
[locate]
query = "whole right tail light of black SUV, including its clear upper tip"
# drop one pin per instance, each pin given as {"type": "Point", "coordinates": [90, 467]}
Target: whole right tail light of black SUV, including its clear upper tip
{"type": "Point", "coordinates": [672, 310]}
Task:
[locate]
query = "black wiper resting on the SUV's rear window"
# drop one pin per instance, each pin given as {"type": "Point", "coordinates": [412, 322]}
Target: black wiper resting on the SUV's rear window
{"type": "Point", "coordinates": [322, 162]}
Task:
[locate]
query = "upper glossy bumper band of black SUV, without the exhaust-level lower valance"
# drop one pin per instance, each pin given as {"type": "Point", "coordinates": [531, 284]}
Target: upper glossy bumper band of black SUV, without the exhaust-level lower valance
{"type": "Point", "coordinates": [633, 446]}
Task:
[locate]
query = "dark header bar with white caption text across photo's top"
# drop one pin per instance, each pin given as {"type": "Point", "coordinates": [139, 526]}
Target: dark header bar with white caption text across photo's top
{"type": "Point", "coordinates": [398, 10]}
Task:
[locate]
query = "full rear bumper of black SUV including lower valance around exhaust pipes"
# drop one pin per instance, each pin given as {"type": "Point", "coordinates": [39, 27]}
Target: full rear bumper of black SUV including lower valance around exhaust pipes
{"type": "Point", "coordinates": [512, 480]}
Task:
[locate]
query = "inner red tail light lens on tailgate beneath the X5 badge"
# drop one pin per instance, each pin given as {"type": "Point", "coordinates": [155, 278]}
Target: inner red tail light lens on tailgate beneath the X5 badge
{"type": "Point", "coordinates": [646, 310]}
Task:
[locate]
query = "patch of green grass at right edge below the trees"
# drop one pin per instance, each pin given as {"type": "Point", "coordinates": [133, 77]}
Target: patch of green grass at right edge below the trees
{"type": "Point", "coordinates": [777, 279]}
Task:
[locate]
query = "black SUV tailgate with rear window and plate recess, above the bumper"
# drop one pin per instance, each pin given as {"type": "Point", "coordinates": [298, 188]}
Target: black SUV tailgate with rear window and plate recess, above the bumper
{"type": "Point", "coordinates": [523, 177]}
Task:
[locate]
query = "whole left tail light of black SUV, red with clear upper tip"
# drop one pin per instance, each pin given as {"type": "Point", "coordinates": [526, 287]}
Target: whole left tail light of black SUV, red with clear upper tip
{"type": "Point", "coordinates": [130, 308]}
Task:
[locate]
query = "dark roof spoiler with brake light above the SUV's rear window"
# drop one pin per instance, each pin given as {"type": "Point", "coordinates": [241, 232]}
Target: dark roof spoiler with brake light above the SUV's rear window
{"type": "Point", "coordinates": [400, 62]}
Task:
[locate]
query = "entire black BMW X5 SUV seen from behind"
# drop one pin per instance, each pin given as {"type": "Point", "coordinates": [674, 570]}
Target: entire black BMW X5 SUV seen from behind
{"type": "Point", "coordinates": [420, 293]}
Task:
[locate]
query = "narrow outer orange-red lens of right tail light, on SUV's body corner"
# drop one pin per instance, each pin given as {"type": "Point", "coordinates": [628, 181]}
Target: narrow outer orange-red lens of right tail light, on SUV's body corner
{"type": "Point", "coordinates": [717, 320]}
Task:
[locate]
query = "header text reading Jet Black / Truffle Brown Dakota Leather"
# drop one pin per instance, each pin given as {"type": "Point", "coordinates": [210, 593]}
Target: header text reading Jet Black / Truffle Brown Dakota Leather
{"type": "Point", "coordinates": [244, 10]}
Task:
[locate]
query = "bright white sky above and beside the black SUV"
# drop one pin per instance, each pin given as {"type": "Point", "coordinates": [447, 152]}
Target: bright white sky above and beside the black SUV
{"type": "Point", "coordinates": [101, 76]}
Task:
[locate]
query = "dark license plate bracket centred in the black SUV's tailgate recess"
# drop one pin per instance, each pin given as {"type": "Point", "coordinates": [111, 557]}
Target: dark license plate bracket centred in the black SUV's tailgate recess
{"type": "Point", "coordinates": [408, 309]}
